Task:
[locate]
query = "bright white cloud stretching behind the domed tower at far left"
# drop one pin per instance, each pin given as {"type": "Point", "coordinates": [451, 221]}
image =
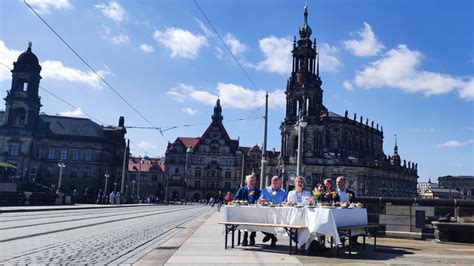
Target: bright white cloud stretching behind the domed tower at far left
{"type": "Point", "coordinates": [51, 69]}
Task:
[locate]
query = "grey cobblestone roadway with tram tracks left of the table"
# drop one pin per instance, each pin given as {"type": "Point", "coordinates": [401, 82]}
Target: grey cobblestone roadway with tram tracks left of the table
{"type": "Point", "coordinates": [100, 236]}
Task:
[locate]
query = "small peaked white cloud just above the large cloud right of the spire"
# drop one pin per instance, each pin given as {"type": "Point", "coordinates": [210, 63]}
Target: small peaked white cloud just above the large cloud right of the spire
{"type": "Point", "coordinates": [367, 45]}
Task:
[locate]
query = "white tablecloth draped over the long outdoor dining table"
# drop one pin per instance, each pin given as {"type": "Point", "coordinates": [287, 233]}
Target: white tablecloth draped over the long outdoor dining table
{"type": "Point", "coordinates": [317, 221]}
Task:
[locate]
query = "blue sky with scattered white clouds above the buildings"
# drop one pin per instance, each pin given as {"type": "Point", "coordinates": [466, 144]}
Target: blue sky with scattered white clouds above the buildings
{"type": "Point", "coordinates": [406, 65]}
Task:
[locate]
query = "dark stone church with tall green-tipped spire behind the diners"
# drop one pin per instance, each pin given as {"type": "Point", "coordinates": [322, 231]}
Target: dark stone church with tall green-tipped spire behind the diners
{"type": "Point", "coordinates": [332, 144]}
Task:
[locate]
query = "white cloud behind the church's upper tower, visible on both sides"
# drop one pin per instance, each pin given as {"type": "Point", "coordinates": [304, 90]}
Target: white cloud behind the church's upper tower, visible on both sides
{"type": "Point", "coordinates": [278, 57]}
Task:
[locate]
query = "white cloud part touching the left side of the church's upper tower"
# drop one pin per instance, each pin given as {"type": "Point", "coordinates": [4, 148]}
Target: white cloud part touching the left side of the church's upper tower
{"type": "Point", "coordinates": [277, 53]}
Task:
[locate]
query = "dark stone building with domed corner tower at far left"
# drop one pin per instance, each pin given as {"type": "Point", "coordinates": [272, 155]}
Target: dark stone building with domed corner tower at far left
{"type": "Point", "coordinates": [35, 143]}
